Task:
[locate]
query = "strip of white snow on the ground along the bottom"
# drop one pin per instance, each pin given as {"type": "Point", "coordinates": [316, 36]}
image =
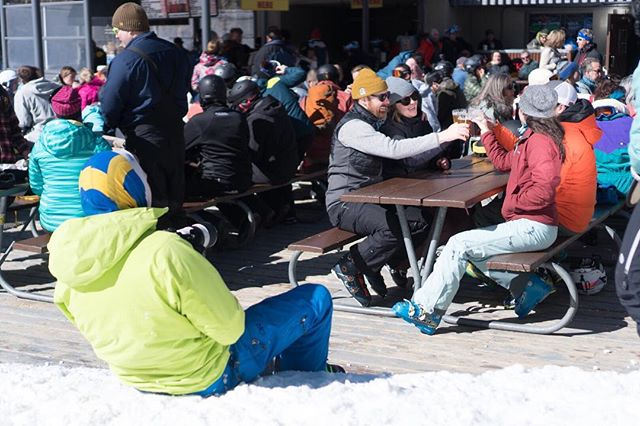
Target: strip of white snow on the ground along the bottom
{"type": "Point", "coordinates": [55, 395]}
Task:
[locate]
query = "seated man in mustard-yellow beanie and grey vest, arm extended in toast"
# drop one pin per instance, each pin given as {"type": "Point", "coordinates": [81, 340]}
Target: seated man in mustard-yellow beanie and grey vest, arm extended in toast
{"type": "Point", "coordinates": [357, 155]}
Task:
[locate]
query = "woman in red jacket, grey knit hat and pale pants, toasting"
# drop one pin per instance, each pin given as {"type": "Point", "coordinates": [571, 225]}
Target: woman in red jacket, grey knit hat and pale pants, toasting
{"type": "Point", "coordinates": [529, 210]}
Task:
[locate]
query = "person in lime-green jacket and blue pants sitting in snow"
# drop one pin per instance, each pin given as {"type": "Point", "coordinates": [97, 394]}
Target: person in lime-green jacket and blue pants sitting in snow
{"type": "Point", "coordinates": [156, 310]}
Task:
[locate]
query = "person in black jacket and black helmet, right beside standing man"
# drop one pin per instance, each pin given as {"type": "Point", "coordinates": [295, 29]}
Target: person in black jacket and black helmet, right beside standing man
{"type": "Point", "coordinates": [217, 145]}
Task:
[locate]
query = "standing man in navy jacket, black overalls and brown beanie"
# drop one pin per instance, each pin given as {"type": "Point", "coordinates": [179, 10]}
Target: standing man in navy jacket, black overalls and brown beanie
{"type": "Point", "coordinates": [146, 97]}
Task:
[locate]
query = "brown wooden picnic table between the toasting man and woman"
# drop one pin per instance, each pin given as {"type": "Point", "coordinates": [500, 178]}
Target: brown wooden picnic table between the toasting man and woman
{"type": "Point", "coordinates": [470, 180]}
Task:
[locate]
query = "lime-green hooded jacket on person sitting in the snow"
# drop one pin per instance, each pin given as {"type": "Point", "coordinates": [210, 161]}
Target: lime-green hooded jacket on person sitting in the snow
{"type": "Point", "coordinates": [151, 306]}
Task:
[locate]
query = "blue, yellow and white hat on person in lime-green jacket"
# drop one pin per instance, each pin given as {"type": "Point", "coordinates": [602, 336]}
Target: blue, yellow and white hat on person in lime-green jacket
{"type": "Point", "coordinates": [113, 180]}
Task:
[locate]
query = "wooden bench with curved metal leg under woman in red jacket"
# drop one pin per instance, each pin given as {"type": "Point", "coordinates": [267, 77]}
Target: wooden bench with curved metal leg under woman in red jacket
{"type": "Point", "coordinates": [530, 262]}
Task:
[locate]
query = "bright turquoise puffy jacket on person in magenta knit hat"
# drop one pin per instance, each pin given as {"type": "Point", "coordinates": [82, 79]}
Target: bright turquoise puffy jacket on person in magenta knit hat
{"type": "Point", "coordinates": [54, 168]}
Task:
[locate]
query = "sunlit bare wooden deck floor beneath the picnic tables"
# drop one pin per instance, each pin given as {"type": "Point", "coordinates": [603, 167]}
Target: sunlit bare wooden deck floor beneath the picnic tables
{"type": "Point", "coordinates": [601, 336]}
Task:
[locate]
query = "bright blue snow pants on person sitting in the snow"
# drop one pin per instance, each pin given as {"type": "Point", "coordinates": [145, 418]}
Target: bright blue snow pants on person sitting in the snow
{"type": "Point", "coordinates": [293, 327]}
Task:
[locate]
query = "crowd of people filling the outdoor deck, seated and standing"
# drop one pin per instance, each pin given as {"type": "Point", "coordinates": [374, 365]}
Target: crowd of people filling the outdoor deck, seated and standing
{"type": "Point", "coordinates": [260, 117]}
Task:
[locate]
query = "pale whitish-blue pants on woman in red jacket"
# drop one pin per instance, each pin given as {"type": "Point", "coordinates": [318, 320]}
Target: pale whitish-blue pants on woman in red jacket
{"type": "Point", "coordinates": [477, 246]}
